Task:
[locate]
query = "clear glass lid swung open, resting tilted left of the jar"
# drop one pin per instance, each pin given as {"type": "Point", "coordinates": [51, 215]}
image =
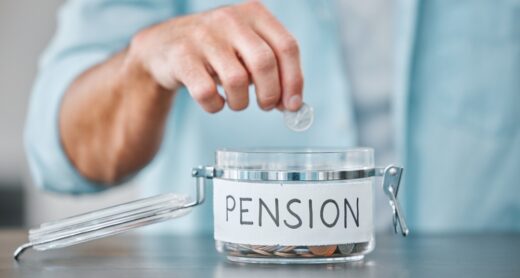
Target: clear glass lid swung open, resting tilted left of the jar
{"type": "Point", "coordinates": [106, 222]}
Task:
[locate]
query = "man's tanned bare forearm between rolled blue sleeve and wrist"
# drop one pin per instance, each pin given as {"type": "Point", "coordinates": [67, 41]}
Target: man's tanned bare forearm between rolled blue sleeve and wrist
{"type": "Point", "coordinates": [112, 119]}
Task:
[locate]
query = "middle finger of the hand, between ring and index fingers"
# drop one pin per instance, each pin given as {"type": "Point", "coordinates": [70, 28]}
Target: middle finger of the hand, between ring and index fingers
{"type": "Point", "coordinates": [261, 63]}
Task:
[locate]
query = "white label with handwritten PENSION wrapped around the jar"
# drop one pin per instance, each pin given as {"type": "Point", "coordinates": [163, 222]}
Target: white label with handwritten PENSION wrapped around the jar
{"type": "Point", "coordinates": [293, 213]}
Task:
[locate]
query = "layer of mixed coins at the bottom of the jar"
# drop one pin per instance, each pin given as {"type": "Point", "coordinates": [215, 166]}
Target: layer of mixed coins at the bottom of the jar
{"type": "Point", "coordinates": [241, 250]}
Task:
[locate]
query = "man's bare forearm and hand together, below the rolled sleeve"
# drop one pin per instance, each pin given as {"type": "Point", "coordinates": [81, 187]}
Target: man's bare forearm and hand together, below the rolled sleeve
{"type": "Point", "coordinates": [111, 127]}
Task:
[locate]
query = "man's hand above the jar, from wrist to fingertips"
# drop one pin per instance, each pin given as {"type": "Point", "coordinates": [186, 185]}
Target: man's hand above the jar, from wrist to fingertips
{"type": "Point", "coordinates": [233, 46]}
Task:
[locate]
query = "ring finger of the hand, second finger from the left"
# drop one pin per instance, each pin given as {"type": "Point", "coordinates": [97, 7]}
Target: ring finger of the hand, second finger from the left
{"type": "Point", "coordinates": [232, 74]}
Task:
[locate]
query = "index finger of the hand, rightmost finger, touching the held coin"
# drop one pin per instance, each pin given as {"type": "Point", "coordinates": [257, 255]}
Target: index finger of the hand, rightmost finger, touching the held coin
{"type": "Point", "coordinates": [287, 53]}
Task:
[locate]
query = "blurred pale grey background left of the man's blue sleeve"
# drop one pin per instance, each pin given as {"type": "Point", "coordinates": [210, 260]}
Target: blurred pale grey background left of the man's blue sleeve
{"type": "Point", "coordinates": [26, 27]}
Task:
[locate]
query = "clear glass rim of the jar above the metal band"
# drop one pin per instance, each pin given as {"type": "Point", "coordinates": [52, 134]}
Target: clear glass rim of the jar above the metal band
{"type": "Point", "coordinates": [295, 159]}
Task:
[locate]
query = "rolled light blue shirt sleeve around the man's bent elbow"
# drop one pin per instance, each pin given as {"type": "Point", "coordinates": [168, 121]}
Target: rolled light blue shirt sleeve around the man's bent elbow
{"type": "Point", "coordinates": [88, 32]}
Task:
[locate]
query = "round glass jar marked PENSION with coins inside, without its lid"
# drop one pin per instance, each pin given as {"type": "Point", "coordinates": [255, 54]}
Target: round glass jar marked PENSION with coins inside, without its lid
{"type": "Point", "coordinates": [295, 205]}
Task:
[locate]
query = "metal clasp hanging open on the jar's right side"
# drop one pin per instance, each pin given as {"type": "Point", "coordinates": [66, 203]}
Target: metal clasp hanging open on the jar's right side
{"type": "Point", "coordinates": [391, 181]}
